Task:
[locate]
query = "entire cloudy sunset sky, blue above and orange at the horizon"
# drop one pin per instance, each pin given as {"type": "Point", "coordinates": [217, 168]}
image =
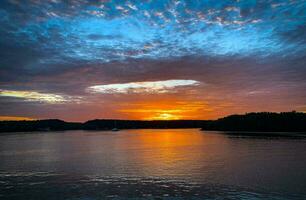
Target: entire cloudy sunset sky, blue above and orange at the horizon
{"type": "Point", "coordinates": [151, 59]}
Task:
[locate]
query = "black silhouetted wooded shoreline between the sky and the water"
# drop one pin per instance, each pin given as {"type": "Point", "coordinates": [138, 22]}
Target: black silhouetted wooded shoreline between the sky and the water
{"type": "Point", "coordinates": [250, 122]}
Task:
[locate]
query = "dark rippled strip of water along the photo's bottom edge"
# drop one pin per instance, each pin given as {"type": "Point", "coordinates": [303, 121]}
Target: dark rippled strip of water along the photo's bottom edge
{"type": "Point", "coordinates": [60, 186]}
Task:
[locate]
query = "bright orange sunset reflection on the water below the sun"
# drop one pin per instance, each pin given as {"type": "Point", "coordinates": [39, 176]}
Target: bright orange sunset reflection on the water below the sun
{"type": "Point", "coordinates": [171, 152]}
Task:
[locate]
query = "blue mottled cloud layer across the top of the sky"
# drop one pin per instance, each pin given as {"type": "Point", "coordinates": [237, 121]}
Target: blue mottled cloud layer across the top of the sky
{"type": "Point", "coordinates": [187, 28]}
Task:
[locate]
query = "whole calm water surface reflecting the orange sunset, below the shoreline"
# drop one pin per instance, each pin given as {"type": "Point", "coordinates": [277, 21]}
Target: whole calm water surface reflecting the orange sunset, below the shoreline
{"type": "Point", "coordinates": [150, 164]}
